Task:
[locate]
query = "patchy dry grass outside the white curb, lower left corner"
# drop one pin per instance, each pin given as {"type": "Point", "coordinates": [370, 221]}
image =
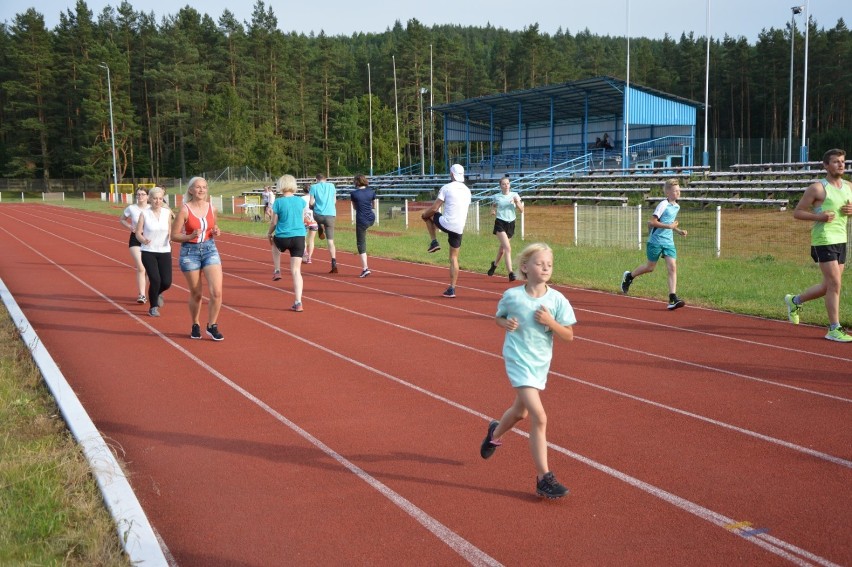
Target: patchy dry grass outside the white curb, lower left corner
{"type": "Point", "coordinates": [51, 512]}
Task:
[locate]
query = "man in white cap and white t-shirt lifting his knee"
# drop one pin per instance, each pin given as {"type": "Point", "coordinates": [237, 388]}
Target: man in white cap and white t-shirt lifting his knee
{"type": "Point", "coordinates": [455, 199]}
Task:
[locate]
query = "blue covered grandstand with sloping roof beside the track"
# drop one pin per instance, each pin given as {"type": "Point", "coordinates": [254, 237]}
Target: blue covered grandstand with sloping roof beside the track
{"type": "Point", "coordinates": [581, 126]}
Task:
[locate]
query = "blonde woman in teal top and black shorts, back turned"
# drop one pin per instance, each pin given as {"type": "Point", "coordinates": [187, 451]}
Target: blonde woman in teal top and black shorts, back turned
{"type": "Point", "coordinates": [287, 233]}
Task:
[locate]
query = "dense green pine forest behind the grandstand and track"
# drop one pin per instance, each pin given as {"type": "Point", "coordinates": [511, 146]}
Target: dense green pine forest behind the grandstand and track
{"type": "Point", "coordinates": [190, 93]}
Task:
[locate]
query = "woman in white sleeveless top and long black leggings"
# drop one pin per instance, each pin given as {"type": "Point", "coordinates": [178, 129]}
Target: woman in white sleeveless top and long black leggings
{"type": "Point", "coordinates": [154, 233]}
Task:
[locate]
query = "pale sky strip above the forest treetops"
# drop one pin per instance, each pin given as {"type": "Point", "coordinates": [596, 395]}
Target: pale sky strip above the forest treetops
{"type": "Point", "coordinates": [648, 18]}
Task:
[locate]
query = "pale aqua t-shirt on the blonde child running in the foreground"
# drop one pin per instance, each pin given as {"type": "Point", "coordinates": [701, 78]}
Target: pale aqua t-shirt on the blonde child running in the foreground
{"type": "Point", "coordinates": [527, 350]}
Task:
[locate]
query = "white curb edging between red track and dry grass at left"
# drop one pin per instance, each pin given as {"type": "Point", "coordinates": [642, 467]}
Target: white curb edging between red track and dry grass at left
{"type": "Point", "coordinates": [135, 532]}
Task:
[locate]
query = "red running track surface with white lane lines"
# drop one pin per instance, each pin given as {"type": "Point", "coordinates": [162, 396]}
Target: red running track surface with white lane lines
{"type": "Point", "coordinates": [349, 433]}
